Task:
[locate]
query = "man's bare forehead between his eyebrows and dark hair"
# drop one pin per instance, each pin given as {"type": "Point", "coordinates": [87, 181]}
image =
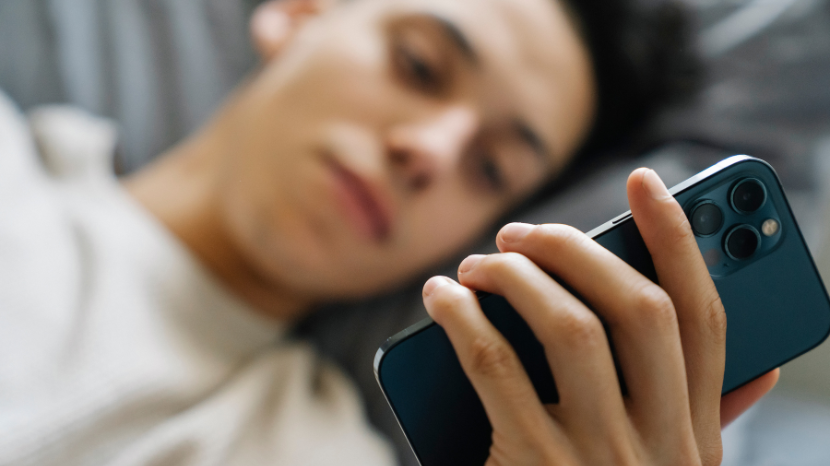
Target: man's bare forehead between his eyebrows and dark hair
{"type": "Point", "coordinates": [531, 62]}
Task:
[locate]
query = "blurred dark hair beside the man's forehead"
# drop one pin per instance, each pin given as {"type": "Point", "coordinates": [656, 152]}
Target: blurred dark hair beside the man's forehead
{"type": "Point", "coordinates": [644, 61]}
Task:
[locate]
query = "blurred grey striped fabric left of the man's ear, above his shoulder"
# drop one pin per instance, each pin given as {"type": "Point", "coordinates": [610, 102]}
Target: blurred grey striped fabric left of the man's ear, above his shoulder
{"type": "Point", "coordinates": [158, 67]}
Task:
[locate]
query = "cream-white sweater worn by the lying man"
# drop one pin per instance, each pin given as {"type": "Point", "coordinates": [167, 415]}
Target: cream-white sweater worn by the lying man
{"type": "Point", "coordinates": [118, 348]}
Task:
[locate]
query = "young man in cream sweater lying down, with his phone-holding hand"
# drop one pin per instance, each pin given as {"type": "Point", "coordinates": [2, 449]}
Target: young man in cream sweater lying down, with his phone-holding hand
{"type": "Point", "coordinates": [379, 137]}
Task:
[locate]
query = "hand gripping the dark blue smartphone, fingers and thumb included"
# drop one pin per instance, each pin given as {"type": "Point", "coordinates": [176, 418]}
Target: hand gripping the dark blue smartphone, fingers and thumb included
{"type": "Point", "coordinates": [670, 342]}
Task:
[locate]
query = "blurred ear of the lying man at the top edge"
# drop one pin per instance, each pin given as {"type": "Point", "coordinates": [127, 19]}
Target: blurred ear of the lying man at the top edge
{"type": "Point", "coordinates": [274, 22]}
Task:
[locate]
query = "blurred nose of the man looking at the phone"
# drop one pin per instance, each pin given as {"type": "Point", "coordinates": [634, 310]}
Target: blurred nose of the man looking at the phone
{"type": "Point", "coordinates": [423, 150]}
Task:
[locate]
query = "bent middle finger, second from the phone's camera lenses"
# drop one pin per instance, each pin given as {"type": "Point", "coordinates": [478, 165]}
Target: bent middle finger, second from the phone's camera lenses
{"type": "Point", "coordinates": [640, 317]}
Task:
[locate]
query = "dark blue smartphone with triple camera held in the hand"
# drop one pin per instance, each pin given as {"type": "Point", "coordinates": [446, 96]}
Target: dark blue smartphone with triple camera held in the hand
{"type": "Point", "coordinates": [776, 305]}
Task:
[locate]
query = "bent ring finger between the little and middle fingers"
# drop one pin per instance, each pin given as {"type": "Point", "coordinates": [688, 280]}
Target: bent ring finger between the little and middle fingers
{"type": "Point", "coordinates": [575, 342]}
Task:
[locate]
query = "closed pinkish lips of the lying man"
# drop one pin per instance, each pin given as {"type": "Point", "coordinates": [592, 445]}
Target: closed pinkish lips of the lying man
{"type": "Point", "coordinates": [362, 202]}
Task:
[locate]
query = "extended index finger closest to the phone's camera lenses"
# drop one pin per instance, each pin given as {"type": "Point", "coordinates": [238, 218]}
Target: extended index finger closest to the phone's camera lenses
{"type": "Point", "coordinates": [683, 274]}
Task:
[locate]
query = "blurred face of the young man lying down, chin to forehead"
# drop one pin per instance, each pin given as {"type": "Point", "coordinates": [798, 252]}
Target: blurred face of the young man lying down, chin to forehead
{"type": "Point", "coordinates": [389, 133]}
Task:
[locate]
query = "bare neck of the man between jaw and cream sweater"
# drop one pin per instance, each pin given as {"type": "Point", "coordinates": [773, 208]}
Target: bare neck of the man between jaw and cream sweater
{"type": "Point", "coordinates": [181, 190]}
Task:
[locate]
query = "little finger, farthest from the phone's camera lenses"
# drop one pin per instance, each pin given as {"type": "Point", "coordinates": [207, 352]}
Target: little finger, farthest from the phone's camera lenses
{"type": "Point", "coordinates": [489, 361]}
